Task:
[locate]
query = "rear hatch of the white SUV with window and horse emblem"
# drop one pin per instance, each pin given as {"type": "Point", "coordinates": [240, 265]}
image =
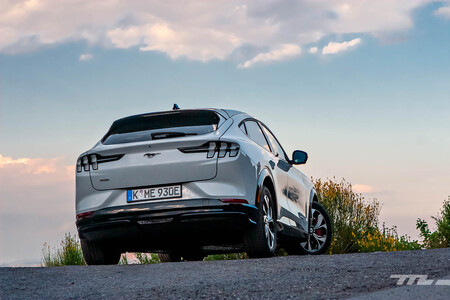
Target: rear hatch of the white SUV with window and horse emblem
{"type": "Point", "coordinates": [156, 149]}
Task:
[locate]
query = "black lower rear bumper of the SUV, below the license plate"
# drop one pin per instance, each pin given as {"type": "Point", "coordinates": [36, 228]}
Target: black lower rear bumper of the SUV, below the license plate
{"type": "Point", "coordinates": [169, 226]}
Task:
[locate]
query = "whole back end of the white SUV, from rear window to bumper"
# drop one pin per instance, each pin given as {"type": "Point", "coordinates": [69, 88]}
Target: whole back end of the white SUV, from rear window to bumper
{"type": "Point", "coordinates": [154, 178]}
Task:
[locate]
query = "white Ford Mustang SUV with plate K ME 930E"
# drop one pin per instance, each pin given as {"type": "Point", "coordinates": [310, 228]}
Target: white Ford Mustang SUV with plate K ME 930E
{"type": "Point", "coordinates": [188, 183]}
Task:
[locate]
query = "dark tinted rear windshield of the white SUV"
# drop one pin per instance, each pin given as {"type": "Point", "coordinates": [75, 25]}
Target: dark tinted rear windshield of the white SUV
{"type": "Point", "coordinates": [161, 126]}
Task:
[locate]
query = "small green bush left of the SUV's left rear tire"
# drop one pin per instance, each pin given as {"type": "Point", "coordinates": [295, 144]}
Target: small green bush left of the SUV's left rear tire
{"type": "Point", "coordinates": [68, 254]}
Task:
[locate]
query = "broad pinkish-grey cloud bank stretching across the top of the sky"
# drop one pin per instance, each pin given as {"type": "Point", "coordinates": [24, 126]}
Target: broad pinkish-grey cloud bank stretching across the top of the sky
{"type": "Point", "coordinates": [197, 29]}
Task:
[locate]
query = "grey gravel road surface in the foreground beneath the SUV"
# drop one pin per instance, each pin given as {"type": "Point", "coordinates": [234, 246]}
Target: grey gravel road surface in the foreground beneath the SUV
{"type": "Point", "coordinates": [312, 277]}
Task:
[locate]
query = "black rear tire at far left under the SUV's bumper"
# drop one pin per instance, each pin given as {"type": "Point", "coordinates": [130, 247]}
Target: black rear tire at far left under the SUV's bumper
{"type": "Point", "coordinates": [96, 254]}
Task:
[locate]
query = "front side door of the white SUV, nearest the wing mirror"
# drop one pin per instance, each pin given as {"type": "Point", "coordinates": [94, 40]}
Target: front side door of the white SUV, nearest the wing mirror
{"type": "Point", "coordinates": [295, 191]}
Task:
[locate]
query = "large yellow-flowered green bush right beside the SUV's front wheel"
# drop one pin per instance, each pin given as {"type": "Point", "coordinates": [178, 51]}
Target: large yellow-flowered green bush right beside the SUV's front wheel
{"type": "Point", "coordinates": [355, 221]}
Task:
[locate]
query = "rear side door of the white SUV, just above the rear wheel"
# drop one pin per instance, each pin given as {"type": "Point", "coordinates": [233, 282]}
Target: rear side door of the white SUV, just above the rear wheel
{"type": "Point", "coordinates": [254, 131]}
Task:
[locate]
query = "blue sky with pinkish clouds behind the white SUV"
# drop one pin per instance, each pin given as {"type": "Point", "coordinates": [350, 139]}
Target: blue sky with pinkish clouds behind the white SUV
{"type": "Point", "coordinates": [362, 86]}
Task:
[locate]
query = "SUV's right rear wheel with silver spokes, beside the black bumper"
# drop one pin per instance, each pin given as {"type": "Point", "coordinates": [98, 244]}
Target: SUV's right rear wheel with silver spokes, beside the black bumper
{"type": "Point", "coordinates": [261, 241]}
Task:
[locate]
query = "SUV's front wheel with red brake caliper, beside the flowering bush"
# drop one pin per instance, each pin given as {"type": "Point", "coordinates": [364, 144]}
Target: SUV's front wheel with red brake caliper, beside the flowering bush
{"type": "Point", "coordinates": [319, 234]}
